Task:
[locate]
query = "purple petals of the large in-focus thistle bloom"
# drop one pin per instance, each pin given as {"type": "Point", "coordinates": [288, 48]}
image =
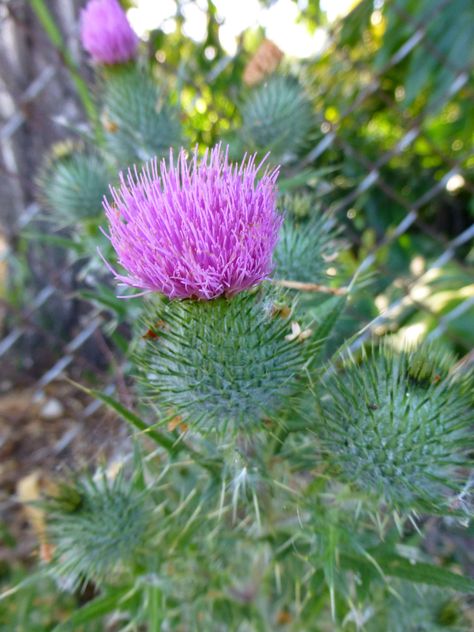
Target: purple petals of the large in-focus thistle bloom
{"type": "Point", "coordinates": [195, 229]}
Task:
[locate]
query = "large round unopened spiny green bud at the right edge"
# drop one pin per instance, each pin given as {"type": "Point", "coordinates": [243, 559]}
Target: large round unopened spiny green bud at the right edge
{"type": "Point", "coordinates": [398, 425]}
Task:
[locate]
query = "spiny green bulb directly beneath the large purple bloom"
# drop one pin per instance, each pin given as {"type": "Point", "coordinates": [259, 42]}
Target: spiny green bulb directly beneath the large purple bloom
{"type": "Point", "coordinates": [222, 362]}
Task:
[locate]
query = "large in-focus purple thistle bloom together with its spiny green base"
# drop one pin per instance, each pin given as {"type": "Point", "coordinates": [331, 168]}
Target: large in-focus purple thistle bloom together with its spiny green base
{"type": "Point", "coordinates": [205, 231]}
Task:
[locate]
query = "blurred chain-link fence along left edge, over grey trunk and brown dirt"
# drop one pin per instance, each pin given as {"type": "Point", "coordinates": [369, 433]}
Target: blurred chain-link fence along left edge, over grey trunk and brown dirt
{"type": "Point", "coordinates": [45, 424]}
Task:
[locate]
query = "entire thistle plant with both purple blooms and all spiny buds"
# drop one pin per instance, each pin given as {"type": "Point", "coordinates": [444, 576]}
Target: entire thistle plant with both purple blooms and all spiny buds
{"type": "Point", "coordinates": [277, 483]}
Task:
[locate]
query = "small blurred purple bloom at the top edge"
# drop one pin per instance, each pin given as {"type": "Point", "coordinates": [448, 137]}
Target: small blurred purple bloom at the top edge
{"type": "Point", "coordinates": [106, 33]}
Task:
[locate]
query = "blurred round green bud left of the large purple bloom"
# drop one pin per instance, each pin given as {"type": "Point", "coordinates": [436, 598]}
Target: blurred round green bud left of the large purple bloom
{"type": "Point", "coordinates": [72, 186]}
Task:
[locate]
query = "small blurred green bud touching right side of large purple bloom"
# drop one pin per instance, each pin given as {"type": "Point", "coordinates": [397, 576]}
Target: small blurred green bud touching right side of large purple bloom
{"type": "Point", "coordinates": [306, 245]}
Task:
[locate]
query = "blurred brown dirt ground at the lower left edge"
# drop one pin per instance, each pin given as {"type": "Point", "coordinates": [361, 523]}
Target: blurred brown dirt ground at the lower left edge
{"type": "Point", "coordinates": [43, 435]}
